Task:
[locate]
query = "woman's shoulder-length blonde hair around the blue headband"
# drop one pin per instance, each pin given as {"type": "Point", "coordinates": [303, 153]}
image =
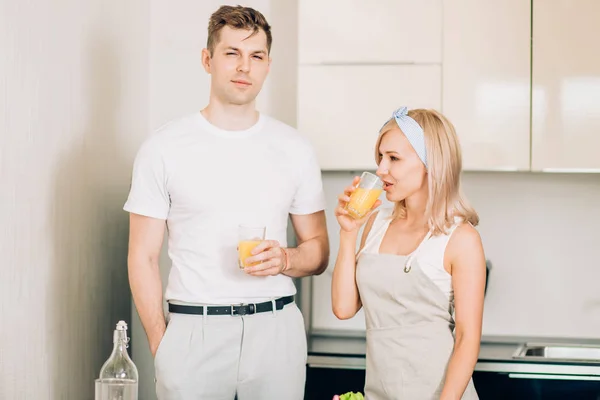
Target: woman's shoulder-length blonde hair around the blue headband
{"type": "Point", "coordinates": [444, 160]}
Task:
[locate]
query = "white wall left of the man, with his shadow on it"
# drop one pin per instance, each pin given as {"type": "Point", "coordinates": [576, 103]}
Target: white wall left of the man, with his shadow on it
{"type": "Point", "coordinates": [73, 109]}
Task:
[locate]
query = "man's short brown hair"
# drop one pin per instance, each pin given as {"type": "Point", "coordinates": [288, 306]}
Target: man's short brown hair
{"type": "Point", "coordinates": [237, 17]}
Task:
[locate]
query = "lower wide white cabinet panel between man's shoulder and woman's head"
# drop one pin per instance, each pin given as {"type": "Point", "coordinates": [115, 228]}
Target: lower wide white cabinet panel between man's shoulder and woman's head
{"type": "Point", "coordinates": [342, 108]}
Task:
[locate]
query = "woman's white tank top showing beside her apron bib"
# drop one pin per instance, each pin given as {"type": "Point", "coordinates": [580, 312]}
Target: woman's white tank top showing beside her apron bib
{"type": "Point", "coordinates": [430, 256]}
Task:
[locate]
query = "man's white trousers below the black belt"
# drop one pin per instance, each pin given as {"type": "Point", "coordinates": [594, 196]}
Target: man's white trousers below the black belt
{"type": "Point", "coordinates": [258, 357]}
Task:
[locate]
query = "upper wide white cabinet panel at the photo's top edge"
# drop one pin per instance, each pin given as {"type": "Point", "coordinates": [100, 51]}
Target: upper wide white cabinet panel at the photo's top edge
{"type": "Point", "coordinates": [376, 32]}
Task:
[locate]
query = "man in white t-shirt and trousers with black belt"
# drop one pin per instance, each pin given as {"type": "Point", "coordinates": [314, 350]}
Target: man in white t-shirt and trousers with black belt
{"type": "Point", "coordinates": [231, 331]}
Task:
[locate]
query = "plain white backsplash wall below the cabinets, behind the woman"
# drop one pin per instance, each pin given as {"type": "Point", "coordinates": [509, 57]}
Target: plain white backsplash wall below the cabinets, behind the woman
{"type": "Point", "coordinates": [541, 233]}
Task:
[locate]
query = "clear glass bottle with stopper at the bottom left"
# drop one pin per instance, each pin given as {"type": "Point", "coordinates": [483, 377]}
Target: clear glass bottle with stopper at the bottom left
{"type": "Point", "coordinates": [118, 376]}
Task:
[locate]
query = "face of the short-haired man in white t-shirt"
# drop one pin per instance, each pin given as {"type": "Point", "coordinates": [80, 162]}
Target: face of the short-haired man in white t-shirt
{"type": "Point", "coordinates": [238, 66]}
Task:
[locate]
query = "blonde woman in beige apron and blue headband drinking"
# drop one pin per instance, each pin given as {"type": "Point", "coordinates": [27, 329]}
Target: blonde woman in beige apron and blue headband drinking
{"type": "Point", "coordinates": [420, 269]}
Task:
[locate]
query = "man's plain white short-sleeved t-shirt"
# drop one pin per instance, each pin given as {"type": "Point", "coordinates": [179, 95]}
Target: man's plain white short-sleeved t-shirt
{"type": "Point", "coordinates": [205, 181]}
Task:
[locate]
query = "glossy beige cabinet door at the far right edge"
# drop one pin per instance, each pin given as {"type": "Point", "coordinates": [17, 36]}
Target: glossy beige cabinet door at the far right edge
{"type": "Point", "coordinates": [566, 85]}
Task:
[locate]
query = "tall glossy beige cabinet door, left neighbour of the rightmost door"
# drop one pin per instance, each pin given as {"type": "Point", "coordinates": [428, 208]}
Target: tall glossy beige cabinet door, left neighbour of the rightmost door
{"type": "Point", "coordinates": [486, 81]}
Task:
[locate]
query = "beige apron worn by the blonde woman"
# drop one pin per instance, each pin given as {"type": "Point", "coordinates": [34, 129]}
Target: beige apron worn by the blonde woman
{"type": "Point", "coordinates": [409, 329]}
